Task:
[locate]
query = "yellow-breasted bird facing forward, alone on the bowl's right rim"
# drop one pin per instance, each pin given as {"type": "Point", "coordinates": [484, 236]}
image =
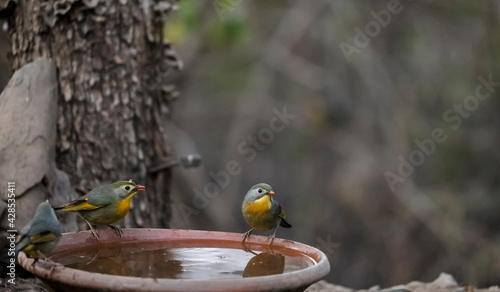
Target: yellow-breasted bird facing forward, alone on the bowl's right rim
{"type": "Point", "coordinates": [262, 211]}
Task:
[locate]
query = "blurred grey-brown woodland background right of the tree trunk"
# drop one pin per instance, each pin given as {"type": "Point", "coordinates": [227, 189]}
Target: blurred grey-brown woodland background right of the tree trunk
{"type": "Point", "coordinates": [363, 81]}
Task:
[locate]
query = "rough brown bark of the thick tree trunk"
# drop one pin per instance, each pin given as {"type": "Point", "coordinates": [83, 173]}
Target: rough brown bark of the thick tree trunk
{"type": "Point", "coordinates": [111, 63]}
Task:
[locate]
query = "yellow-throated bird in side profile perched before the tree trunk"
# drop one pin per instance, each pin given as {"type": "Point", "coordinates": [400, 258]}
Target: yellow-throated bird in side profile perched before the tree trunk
{"type": "Point", "coordinates": [105, 205]}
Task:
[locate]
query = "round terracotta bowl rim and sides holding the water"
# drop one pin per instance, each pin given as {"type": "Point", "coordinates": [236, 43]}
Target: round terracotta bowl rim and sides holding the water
{"type": "Point", "coordinates": [62, 278]}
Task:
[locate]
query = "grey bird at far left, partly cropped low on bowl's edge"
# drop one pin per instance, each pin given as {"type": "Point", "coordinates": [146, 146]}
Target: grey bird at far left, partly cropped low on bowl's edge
{"type": "Point", "coordinates": [41, 234]}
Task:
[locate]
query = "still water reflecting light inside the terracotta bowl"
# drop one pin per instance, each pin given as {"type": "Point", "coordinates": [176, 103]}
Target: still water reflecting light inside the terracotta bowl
{"type": "Point", "coordinates": [152, 260]}
